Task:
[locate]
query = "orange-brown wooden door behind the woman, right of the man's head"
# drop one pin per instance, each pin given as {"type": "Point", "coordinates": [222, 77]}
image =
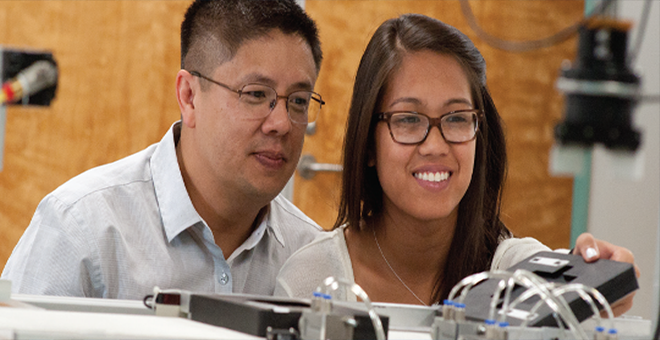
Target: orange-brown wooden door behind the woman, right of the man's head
{"type": "Point", "coordinates": [522, 85]}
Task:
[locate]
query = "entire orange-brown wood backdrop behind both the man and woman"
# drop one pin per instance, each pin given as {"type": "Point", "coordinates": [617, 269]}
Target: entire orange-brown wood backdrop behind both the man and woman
{"type": "Point", "coordinates": [118, 60]}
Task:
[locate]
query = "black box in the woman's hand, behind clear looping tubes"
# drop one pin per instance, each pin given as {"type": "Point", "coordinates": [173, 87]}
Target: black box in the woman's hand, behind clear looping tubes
{"type": "Point", "coordinates": [612, 279]}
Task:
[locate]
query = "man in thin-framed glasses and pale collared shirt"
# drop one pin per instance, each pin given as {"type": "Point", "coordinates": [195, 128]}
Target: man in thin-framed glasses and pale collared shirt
{"type": "Point", "coordinates": [200, 210]}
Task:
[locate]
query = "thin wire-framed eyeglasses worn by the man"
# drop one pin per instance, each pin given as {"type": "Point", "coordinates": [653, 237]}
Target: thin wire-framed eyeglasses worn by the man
{"type": "Point", "coordinates": [302, 106]}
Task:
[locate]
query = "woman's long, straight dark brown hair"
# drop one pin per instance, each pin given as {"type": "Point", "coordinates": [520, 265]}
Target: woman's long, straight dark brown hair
{"type": "Point", "coordinates": [478, 228]}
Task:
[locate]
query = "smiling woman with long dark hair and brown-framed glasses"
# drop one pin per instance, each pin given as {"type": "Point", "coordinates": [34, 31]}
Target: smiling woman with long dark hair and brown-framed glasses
{"type": "Point", "coordinates": [424, 165]}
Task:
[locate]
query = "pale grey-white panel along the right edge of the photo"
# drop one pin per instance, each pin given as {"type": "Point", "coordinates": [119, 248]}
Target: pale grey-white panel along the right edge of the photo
{"type": "Point", "coordinates": [624, 211]}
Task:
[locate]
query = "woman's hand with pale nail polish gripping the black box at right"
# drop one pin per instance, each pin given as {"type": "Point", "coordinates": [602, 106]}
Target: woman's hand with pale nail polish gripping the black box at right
{"type": "Point", "coordinates": [592, 249]}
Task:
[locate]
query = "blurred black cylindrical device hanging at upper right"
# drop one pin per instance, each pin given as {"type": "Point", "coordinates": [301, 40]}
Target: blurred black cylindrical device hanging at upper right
{"type": "Point", "coordinates": [601, 90]}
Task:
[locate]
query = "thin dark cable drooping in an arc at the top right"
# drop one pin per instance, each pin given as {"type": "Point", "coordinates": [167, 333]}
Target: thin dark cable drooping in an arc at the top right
{"type": "Point", "coordinates": [529, 45]}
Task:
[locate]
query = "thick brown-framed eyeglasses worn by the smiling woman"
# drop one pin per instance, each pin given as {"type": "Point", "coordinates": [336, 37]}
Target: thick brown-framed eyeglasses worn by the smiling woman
{"type": "Point", "coordinates": [407, 127]}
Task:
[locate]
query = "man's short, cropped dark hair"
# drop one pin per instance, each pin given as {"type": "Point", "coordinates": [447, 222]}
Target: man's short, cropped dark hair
{"type": "Point", "coordinates": [214, 30]}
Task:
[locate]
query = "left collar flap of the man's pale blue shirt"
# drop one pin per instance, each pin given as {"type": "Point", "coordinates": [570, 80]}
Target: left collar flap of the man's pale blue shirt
{"type": "Point", "coordinates": [176, 208]}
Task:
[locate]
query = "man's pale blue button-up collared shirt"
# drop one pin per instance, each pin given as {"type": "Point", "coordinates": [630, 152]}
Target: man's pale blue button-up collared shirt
{"type": "Point", "coordinates": [120, 229]}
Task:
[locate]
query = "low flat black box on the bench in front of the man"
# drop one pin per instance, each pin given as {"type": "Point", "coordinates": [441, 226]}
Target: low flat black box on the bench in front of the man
{"type": "Point", "coordinates": [265, 316]}
